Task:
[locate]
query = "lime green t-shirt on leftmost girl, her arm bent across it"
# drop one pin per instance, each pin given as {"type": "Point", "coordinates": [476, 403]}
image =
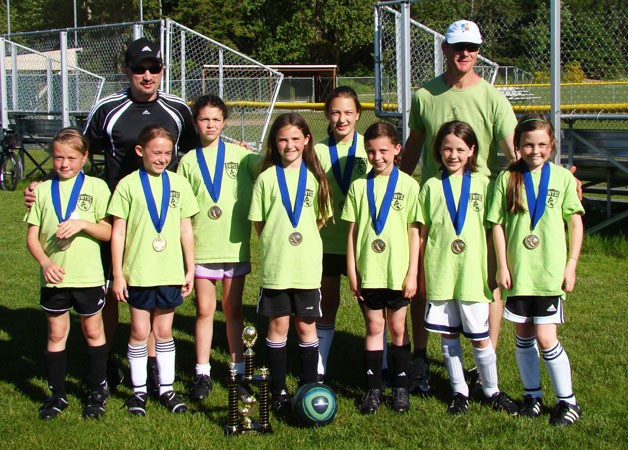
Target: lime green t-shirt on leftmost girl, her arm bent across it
{"type": "Point", "coordinates": [81, 261]}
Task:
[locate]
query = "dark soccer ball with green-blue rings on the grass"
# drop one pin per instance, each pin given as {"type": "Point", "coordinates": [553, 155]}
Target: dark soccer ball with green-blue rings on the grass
{"type": "Point", "coordinates": [315, 404]}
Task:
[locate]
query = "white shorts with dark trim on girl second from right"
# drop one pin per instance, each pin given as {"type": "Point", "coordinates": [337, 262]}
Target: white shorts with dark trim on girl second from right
{"type": "Point", "coordinates": [455, 316]}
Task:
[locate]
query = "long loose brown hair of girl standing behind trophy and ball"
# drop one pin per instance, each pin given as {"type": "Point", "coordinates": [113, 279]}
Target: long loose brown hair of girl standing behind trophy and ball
{"type": "Point", "coordinates": [272, 157]}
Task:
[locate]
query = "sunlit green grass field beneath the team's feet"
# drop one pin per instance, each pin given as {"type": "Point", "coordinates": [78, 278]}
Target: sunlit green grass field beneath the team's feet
{"type": "Point", "coordinates": [594, 337]}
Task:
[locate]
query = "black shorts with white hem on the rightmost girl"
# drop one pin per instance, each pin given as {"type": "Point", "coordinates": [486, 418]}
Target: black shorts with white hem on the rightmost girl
{"type": "Point", "coordinates": [533, 308]}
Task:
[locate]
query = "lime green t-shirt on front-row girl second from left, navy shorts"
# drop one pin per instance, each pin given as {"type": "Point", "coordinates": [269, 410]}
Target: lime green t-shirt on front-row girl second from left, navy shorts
{"type": "Point", "coordinates": [142, 265]}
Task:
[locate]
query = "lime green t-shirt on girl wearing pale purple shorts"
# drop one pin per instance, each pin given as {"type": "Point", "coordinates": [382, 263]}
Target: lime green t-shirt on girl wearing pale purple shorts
{"type": "Point", "coordinates": [226, 239]}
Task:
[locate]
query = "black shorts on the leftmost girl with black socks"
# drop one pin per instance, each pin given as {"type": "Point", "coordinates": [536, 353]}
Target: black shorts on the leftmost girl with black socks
{"type": "Point", "coordinates": [85, 301]}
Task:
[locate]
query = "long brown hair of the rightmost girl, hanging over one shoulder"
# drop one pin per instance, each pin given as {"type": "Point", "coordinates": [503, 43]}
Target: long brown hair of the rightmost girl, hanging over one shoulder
{"type": "Point", "coordinates": [530, 122]}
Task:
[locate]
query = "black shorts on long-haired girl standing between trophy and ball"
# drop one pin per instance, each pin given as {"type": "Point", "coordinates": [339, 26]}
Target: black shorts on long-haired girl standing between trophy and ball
{"type": "Point", "coordinates": [285, 302]}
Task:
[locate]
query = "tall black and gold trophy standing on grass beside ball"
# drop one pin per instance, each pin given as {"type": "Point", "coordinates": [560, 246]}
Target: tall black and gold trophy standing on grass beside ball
{"type": "Point", "coordinates": [242, 410]}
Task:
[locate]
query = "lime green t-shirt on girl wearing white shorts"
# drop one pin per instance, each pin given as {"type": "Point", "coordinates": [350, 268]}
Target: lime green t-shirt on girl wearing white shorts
{"type": "Point", "coordinates": [450, 276]}
